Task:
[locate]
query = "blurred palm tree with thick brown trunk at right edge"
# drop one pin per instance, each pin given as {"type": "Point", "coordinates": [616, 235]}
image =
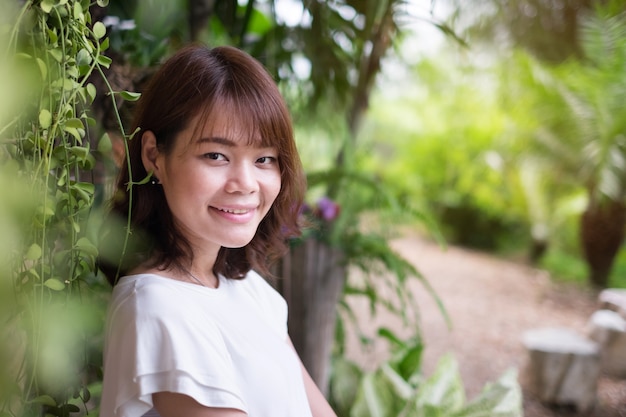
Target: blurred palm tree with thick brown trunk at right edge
{"type": "Point", "coordinates": [581, 126]}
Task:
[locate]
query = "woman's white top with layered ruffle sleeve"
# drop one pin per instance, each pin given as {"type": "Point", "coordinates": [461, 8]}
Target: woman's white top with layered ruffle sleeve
{"type": "Point", "coordinates": [225, 347]}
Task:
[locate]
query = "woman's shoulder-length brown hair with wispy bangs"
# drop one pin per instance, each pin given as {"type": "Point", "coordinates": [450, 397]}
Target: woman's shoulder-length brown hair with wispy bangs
{"type": "Point", "coordinates": [201, 81]}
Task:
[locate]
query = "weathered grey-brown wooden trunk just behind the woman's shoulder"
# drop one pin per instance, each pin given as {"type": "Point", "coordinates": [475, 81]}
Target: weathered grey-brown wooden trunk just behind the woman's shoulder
{"type": "Point", "coordinates": [313, 275]}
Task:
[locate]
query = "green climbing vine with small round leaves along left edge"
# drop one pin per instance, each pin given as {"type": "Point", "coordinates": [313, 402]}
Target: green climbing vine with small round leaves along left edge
{"type": "Point", "coordinates": [51, 144]}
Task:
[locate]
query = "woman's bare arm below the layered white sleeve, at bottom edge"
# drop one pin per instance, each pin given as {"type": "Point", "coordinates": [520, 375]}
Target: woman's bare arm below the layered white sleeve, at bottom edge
{"type": "Point", "coordinates": [171, 404]}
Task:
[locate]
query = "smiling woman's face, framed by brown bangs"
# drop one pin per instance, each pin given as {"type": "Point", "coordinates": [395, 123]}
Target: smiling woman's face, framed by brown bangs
{"type": "Point", "coordinates": [218, 187]}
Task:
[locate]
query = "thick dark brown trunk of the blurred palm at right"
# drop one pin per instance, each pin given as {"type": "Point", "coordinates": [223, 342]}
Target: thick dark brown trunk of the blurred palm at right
{"type": "Point", "coordinates": [602, 233]}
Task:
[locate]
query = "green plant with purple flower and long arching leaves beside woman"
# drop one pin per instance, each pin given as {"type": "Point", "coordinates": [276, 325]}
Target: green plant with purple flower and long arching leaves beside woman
{"type": "Point", "coordinates": [360, 221]}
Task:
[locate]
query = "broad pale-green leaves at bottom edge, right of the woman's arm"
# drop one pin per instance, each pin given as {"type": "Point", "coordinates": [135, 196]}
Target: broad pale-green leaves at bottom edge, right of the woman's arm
{"type": "Point", "coordinates": [397, 388]}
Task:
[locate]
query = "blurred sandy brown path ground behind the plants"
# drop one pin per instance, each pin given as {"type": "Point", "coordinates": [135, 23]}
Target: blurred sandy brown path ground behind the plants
{"type": "Point", "coordinates": [491, 303]}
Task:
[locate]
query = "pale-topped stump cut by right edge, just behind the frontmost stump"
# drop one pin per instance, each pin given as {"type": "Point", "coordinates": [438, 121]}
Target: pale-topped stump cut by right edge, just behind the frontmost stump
{"type": "Point", "coordinates": [608, 329]}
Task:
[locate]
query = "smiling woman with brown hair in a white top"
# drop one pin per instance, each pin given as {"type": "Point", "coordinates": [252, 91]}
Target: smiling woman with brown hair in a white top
{"type": "Point", "coordinates": [192, 329]}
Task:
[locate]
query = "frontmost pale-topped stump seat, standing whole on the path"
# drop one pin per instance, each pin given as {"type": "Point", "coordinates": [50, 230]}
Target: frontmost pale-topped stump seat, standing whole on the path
{"type": "Point", "coordinates": [563, 367]}
